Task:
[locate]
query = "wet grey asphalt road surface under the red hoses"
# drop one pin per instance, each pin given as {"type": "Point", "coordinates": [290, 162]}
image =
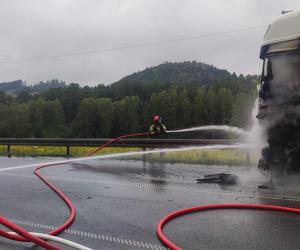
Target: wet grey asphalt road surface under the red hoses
{"type": "Point", "coordinates": [119, 204]}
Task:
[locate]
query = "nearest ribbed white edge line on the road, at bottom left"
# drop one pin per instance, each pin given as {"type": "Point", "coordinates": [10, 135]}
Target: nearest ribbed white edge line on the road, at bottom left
{"type": "Point", "coordinates": [89, 235]}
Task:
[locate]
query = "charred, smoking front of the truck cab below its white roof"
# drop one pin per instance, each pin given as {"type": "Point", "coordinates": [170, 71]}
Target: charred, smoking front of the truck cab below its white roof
{"type": "Point", "coordinates": [280, 111]}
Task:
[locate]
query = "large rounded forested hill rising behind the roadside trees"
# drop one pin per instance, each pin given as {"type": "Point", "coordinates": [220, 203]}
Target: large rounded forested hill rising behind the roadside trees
{"type": "Point", "coordinates": [183, 74]}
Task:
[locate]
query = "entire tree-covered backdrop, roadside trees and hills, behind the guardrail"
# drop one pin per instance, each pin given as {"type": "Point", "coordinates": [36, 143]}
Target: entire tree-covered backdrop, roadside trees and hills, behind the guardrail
{"type": "Point", "coordinates": [185, 94]}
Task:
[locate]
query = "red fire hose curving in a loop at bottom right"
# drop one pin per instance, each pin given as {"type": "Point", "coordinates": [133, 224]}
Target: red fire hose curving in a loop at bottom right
{"type": "Point", "coordinates": [195, 209]}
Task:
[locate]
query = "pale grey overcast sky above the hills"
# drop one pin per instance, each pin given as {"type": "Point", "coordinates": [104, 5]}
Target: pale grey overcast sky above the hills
{"type": "Point", "coordinates": [49, 28]}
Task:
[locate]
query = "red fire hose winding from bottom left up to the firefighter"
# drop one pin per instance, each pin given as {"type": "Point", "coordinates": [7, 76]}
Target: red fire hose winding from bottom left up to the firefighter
{"type": "Point", "coordinates": [27, 237]}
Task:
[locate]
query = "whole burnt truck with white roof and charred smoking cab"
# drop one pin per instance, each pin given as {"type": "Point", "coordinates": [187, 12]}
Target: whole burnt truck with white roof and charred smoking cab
{"type": "Point", "coordinates": [279, 95]}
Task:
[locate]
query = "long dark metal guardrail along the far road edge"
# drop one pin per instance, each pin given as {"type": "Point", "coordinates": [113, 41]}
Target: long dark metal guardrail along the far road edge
{"type": "Point", "coordinates": [140, 142]}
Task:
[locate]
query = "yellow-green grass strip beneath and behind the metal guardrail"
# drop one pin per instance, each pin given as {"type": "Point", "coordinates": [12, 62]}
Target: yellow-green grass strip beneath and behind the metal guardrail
{"type": "Point", "coordinates": [208, 157]}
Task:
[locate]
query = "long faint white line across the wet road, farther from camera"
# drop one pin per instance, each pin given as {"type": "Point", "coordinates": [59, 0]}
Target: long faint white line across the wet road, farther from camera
{"type": "Point", "coordinates": [161, 187]}
